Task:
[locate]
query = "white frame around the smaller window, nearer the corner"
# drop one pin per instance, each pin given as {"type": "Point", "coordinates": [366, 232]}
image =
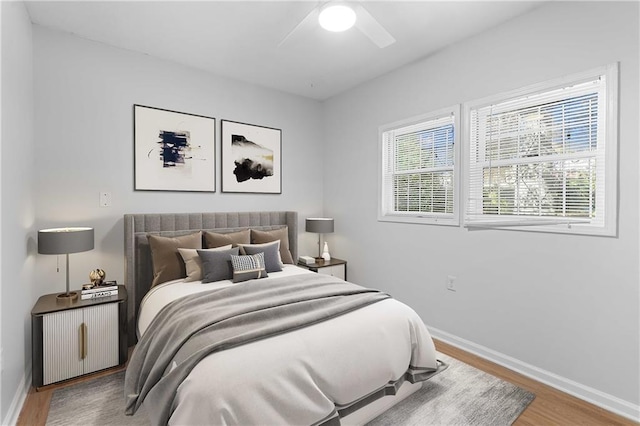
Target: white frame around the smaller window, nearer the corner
{"type": "Point", "coordinates": [384, 192]}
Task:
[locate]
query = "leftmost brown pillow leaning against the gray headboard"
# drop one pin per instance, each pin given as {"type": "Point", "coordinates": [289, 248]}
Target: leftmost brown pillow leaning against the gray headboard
{"type": "Point", "coordinates": [167, 263]}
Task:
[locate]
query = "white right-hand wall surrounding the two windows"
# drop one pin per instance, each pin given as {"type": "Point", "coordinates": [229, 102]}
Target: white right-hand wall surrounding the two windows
{"type": "Point", "coordinates": [568, 305]}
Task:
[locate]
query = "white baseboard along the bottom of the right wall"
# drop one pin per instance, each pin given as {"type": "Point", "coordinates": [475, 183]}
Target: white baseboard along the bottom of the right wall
{"type": "Point", "coordinates": [586, 393]}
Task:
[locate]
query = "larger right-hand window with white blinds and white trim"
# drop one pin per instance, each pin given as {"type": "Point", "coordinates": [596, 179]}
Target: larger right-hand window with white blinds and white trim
{"type": "Point", "coordinates": [545, 157]}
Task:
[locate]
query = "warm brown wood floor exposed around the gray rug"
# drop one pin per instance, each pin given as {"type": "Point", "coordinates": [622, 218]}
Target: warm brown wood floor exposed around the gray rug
{"type": "Point", "coordinates": [550, 407]}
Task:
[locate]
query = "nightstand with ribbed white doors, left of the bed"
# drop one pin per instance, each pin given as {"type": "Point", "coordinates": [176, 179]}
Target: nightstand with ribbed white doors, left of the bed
{"type": "Point", "coordinates": [73, 338]}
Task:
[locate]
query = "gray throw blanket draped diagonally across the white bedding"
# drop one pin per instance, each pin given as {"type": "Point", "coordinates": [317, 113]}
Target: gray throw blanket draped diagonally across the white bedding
{"type": "Point", "coordinates": [192, 327]}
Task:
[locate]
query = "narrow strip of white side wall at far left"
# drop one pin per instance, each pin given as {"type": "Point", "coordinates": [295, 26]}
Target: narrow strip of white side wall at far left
{"type": "Point", "coordinates": [17, 208]}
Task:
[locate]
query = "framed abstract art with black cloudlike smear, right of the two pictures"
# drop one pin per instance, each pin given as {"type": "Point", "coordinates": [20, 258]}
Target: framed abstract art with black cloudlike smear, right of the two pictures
{"type": "Point", "coordinates": [251, 158]}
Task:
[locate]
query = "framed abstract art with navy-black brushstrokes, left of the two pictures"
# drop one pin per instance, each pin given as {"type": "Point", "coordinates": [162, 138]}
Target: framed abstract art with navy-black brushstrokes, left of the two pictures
{"type": "Point", "coordinates": [173, 151]}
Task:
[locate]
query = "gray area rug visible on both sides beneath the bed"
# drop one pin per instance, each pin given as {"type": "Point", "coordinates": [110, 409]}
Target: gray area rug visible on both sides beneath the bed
{"type": "Point", "coordinates": [460, 395]}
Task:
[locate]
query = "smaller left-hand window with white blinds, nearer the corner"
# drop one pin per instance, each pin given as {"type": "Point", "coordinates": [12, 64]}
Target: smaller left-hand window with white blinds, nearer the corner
{"type": "Point", "coordinates": [419, 170]}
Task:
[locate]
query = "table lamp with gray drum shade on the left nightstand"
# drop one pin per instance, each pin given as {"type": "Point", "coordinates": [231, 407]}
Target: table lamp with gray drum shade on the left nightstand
{"type": "Point", "coordinates": [65, 241]}
